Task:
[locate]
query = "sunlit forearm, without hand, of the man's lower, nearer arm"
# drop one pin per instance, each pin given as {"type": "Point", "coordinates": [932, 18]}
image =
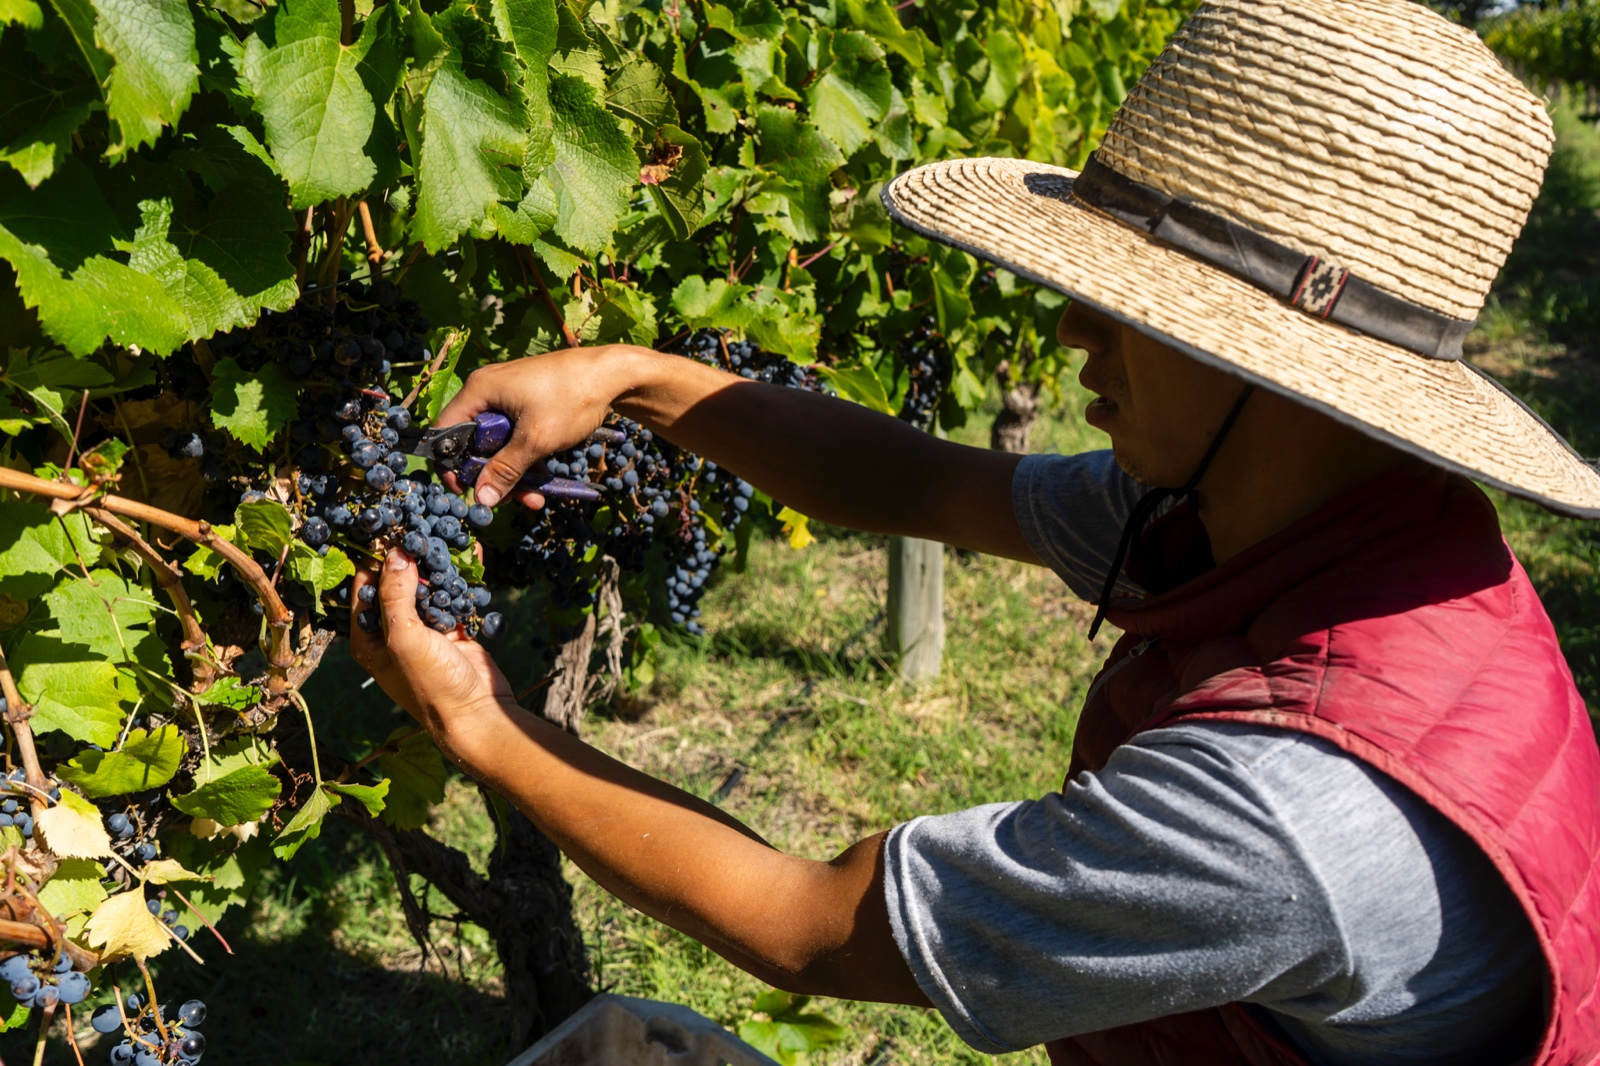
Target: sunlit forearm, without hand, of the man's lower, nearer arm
{"type": "Point", "coordinates": [799, 924]}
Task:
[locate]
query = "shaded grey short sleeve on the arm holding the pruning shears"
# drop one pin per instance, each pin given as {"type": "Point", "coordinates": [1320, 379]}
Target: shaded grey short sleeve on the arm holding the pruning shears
{"type": "Point", "coordinates": [1071, 511]}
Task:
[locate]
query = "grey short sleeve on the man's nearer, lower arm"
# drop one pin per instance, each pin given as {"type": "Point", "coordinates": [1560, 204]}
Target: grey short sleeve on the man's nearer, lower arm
{"type": "Point", "coordinates": [1161, 886]}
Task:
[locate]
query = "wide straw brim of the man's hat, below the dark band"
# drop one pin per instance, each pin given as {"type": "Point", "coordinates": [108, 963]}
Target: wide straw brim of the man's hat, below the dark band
{"type": "Point", "coordinates": [1446, 412]}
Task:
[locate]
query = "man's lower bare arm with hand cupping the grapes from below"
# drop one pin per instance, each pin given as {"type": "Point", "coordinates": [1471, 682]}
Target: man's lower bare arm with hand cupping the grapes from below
{"type": "Point", "coordinates": [817, 928]}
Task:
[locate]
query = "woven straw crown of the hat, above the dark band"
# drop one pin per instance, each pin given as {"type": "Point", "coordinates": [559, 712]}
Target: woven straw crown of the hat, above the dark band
{"type": "Point", "coordinates": [1372, 134]}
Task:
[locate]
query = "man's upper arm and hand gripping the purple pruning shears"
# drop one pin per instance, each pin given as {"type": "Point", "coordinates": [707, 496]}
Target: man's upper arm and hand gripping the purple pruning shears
{"type": "Point", "coordinates": [828, 459]}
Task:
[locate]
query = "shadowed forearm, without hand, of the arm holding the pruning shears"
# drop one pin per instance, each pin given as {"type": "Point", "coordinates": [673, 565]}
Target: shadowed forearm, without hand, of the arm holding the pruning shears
{"type": "Point", "coordinates": [828, 459]}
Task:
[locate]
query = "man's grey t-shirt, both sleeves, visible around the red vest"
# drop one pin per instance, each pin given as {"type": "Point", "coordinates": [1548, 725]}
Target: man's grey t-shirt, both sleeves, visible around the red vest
{"type": "Point", "coordinates": [1210, 864]}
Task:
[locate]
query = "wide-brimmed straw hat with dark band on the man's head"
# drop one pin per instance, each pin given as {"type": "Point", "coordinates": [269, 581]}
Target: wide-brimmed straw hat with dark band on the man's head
{"type": "Point", "coordinates": [1314, 196]}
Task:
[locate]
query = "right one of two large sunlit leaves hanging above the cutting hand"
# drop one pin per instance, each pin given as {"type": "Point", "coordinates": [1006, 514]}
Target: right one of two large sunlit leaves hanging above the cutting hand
{"type": "Point", "coordinates": [594, 169]}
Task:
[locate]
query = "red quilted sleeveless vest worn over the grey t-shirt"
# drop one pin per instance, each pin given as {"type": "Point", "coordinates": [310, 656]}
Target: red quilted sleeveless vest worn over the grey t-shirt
{"type": "Point", "coordinates": [1398, 625]}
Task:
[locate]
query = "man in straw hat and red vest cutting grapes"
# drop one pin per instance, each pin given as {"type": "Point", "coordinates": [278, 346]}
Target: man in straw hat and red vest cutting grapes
{"type": "Point", "coordinates": [1334, 799]}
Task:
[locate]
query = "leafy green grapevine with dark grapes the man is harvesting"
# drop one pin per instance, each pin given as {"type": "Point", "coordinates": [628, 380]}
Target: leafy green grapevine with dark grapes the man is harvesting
{"type": "Point", "coordinates": [228, 307]}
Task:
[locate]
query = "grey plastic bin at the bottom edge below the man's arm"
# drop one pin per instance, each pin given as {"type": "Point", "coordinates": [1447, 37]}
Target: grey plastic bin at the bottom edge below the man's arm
{"type": "Point", "coordinates": [626, 1032]}
